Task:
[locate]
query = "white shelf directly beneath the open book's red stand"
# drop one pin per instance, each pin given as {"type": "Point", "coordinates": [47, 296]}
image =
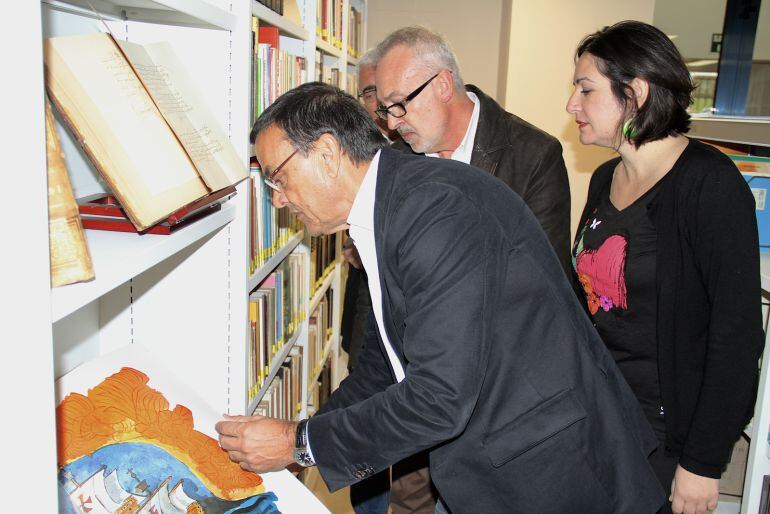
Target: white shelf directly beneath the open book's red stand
{"type": "Point", "coordinates": [118, 257]}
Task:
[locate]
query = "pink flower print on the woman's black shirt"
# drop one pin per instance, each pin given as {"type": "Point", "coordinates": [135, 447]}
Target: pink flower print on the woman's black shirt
{"type": "Point", "coordinates": [603, 272]}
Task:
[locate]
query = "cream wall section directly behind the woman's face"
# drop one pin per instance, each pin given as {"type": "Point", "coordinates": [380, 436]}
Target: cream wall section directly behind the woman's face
{"type": "Point", "coordinates": [543, 38]}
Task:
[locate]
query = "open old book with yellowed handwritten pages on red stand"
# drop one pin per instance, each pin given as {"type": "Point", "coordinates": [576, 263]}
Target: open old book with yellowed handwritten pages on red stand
{"type": "Point", "coordinates": [142, 123]}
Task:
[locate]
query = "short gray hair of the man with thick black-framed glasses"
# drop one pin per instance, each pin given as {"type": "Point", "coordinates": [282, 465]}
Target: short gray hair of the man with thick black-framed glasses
{"type": "Point", "coordinates": [430, 47]}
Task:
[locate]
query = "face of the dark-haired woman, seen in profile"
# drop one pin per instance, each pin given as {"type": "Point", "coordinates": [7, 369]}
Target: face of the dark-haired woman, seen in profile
{"type": "Point", "coordinates": [597, 112]}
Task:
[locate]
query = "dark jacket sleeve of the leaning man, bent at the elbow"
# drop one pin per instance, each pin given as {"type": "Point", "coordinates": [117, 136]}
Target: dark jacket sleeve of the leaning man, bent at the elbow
{"type": "Point", "coordinates": [441, 267]}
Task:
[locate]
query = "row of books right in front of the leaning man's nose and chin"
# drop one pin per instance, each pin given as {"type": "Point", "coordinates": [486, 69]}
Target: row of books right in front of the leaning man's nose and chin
{"type": "Point", "coordinates": [269, 228]}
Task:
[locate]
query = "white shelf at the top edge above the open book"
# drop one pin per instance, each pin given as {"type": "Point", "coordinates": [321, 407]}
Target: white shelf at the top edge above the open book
{"type": "Point", "coordinates": [189, 13]}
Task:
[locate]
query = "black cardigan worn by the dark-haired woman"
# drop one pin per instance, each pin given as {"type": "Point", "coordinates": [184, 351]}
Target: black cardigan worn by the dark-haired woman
{"type": "Point", "coordinates": [709, 321]}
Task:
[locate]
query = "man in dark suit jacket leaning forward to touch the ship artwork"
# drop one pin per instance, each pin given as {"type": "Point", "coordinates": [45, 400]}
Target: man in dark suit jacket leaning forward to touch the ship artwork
{"type": "Point", "coordinates": [484, 354]}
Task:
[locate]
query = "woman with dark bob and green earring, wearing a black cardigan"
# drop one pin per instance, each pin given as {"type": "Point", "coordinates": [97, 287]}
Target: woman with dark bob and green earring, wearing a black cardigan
{"type": "Point", "coordinates": [667, 256]}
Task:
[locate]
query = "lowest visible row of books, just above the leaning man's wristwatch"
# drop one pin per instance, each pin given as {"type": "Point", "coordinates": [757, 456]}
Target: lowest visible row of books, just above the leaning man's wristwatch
{"type": "Point", "coordinates": [283, 399]}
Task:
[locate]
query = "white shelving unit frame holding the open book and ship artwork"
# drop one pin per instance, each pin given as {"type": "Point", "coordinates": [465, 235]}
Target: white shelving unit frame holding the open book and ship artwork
{"type": "Point", "coordinates": [183, 297]}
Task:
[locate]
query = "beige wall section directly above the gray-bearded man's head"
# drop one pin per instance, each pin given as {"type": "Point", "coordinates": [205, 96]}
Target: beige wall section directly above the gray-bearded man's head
{"type": "Point", "coordinates": [474, 34]}
